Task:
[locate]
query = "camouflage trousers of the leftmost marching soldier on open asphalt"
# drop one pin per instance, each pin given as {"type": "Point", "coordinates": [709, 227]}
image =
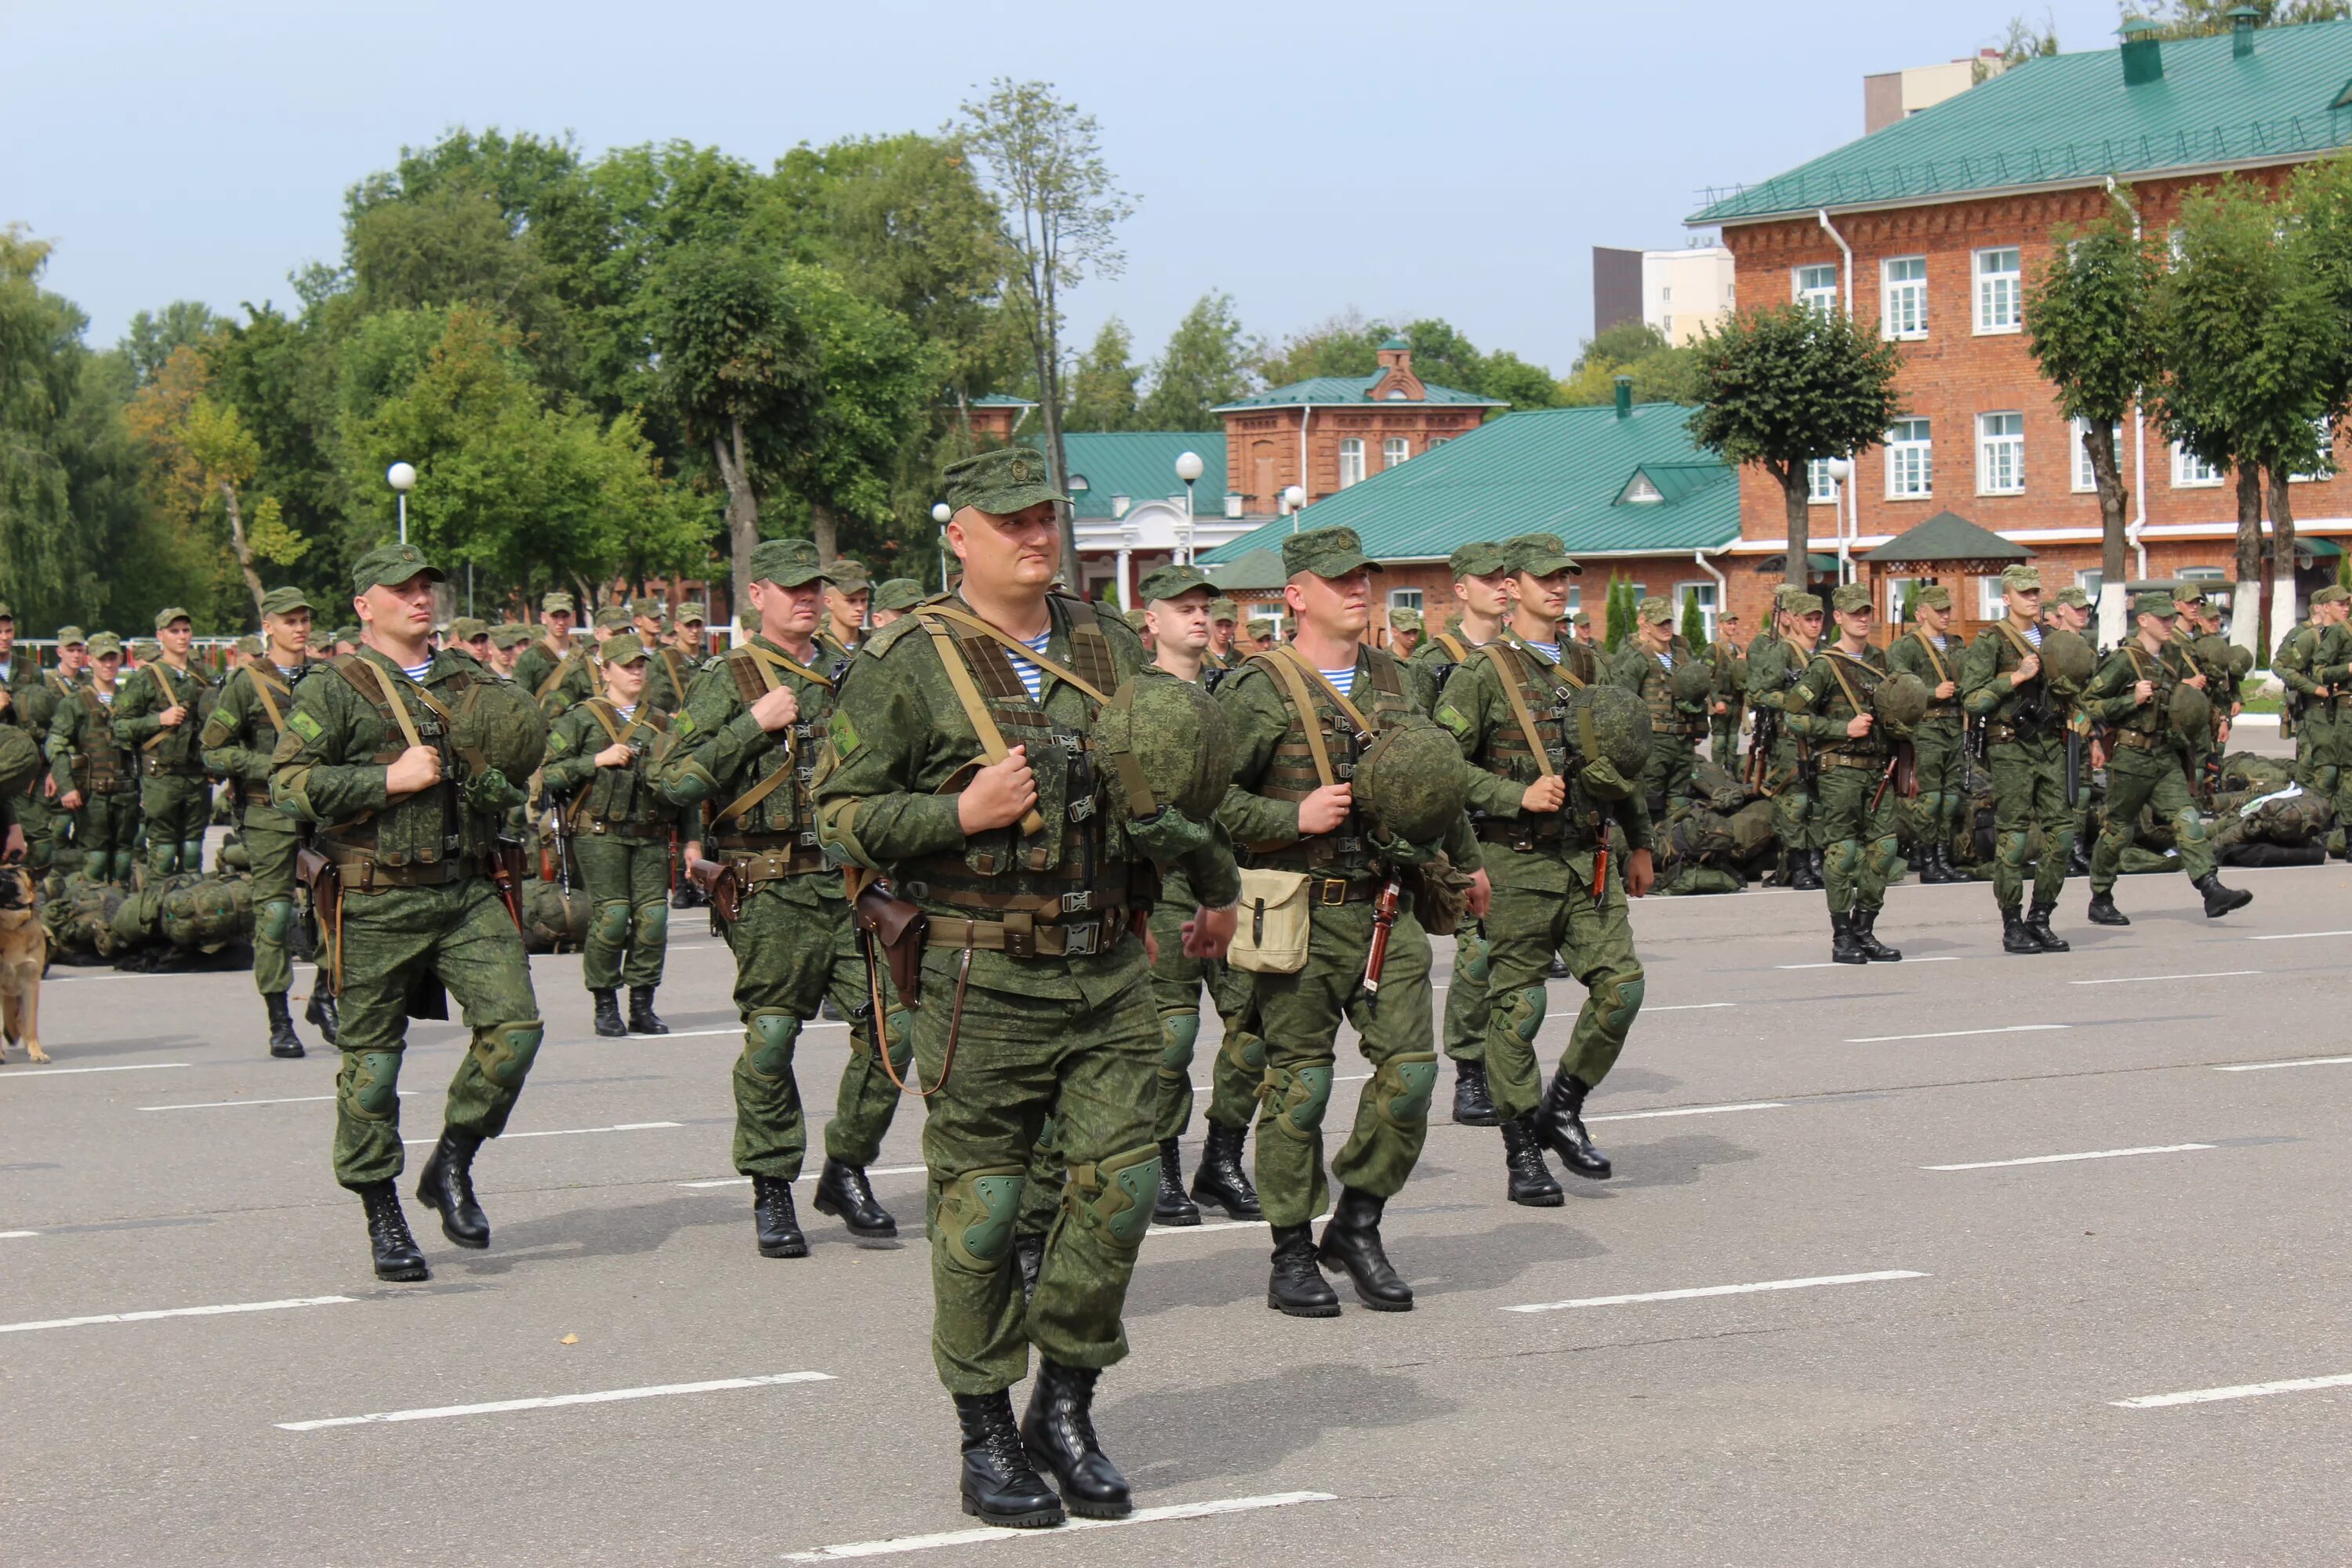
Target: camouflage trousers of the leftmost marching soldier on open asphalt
{"type": "Point", "coordinates": [465, 939]}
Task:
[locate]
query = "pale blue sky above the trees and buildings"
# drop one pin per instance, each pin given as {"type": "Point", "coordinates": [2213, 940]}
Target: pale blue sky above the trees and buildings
{"type": "Point", "coordinates": [1401, 159]}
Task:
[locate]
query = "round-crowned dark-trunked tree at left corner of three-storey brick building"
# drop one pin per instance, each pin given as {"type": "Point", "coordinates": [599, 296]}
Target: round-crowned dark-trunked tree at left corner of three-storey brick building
{"type": "Point", "coordinates": [1791, 384]}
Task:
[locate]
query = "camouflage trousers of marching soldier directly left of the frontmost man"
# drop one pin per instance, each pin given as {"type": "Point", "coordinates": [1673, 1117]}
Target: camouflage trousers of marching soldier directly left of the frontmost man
{"type": "Point", "coordinates": [794, 949]}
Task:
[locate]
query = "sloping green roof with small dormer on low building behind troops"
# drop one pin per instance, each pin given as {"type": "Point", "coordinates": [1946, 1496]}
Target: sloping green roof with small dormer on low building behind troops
{"type": "Point", "coordinates": [1544, 471]}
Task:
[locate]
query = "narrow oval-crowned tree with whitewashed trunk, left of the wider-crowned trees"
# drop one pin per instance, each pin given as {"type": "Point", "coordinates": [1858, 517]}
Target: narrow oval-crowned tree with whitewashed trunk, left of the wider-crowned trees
{"type": "Point", "coordinates": [2087, 321]}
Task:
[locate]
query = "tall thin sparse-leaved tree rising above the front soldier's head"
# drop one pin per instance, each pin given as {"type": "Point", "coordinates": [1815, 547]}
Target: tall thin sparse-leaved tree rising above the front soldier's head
{"type": "Point", "coordinates": [1060, 222]}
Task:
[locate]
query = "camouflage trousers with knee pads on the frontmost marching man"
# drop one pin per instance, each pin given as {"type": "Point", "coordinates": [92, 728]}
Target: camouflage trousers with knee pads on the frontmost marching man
{"type": "Point", "coordinates": [1022, 1061]}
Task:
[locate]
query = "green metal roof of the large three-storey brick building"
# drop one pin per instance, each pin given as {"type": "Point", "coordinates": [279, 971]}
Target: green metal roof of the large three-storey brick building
{"type": "Point", "coordinates": [2069, 121]}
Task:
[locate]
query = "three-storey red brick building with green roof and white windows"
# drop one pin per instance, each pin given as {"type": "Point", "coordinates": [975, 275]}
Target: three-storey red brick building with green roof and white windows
{"type": "Point", "coordinates": [1935, 229]}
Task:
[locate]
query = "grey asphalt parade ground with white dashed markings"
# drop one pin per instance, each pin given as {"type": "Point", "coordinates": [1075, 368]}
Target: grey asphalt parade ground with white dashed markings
{"type": "Point", "coordinates": [1965, 1259]}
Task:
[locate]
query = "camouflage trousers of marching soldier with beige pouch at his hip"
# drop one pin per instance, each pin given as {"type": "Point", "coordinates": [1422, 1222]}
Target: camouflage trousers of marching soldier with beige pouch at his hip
{"type": "Point", "coordinates": [1299, 1021]}
